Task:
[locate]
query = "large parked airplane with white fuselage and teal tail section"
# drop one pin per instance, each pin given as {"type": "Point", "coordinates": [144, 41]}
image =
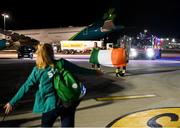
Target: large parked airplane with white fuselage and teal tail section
{"type": "Point", "coordinates": [95, 31]}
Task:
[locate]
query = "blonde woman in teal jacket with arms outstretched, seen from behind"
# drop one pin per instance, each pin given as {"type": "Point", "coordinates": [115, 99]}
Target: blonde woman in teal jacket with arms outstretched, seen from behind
{"type": "Point", "coordinates": [46, 99]}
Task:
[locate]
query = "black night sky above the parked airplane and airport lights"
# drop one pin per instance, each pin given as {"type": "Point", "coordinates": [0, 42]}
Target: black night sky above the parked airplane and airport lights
{"type": "Point", "coordinates": [161, 17]}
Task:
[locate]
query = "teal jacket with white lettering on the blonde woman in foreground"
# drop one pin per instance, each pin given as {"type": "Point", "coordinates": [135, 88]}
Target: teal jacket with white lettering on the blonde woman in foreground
{"type": "Point", "coordinates": [45, 96]}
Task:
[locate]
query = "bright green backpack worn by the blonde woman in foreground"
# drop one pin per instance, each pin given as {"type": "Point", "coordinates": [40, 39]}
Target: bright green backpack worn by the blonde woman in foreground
{"type": "Point", "coordinates": [68, 87]}
